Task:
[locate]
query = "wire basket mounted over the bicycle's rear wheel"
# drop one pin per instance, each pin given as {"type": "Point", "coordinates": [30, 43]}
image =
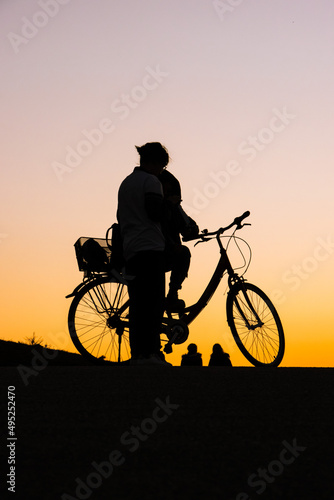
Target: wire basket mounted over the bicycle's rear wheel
{"type": "Point", "coordinates": [93, 254]}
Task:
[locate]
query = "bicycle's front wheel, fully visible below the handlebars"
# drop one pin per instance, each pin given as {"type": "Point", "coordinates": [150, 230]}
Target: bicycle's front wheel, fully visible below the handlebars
{"type": "Point", "coordinates": [255, 325]}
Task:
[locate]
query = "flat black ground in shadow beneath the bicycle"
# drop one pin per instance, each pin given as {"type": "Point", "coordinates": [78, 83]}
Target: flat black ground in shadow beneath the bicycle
{"type": "Point", "coordinates": [239, 433]}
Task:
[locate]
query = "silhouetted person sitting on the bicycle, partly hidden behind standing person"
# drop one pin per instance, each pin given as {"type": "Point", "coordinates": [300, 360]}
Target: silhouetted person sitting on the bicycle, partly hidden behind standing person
{"type": "Point", "coordinates": [175, 222]}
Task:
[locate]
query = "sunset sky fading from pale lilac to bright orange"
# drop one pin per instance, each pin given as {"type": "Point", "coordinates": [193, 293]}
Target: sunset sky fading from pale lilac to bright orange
{"type": "Point", "coordinates": [241, 94]}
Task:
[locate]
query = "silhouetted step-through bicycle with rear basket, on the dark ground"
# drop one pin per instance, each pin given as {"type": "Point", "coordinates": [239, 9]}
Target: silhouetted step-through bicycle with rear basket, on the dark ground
{"type": "Point", "coordinates": [98, 318]}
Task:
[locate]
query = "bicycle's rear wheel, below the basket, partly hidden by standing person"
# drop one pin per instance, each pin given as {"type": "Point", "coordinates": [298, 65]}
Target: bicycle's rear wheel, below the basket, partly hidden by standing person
{"type": "Point", "coordinates": [98, 321]}
